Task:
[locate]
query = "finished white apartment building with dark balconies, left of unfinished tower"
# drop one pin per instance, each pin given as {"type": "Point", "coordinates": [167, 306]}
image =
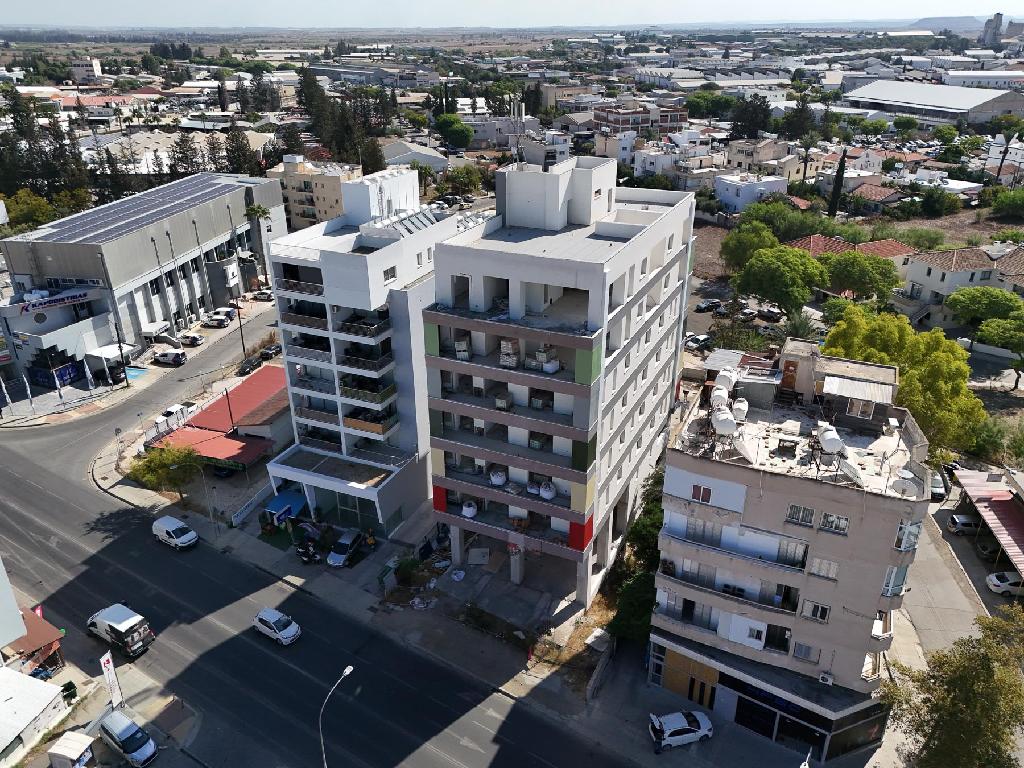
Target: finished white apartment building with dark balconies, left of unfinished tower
{"type": "Point", "coordinates": [351, 294]}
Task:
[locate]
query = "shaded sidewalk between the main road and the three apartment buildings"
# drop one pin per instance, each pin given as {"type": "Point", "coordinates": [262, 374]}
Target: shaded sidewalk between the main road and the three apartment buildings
{"type": "Point", "coordinates": [617, 720]}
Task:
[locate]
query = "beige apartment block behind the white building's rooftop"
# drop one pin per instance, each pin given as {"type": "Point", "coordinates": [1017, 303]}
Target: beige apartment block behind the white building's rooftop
{"type": "Point", "coordinates": [312, 190]}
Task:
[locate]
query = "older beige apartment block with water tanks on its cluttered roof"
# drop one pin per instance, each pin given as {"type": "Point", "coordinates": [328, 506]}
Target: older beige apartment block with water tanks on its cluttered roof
{"type": "Point", "coordinates": [795, 494]}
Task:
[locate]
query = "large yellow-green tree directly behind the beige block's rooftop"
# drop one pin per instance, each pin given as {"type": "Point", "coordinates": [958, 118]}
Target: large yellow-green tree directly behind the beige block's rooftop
{"type": "Point", "coordinates": [933, 373]}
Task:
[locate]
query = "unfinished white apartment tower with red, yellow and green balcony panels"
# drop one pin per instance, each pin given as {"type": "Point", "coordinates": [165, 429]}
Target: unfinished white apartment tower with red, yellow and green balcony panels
{"type": "Point", "coordinates": [551, 364]}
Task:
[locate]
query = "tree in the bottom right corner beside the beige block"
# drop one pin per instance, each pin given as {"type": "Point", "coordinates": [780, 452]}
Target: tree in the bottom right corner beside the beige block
{"type": "Point", "coordinates": [976, 680]}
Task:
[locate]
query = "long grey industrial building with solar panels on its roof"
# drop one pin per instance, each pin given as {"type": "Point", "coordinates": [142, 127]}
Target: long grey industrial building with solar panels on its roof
{"type": "Point", "coordinates": [159, 261]}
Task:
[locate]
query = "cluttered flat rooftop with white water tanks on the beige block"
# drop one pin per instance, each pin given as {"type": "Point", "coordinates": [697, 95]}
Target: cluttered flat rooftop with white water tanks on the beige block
{"type": "Point", "coordinates": [784, 441]}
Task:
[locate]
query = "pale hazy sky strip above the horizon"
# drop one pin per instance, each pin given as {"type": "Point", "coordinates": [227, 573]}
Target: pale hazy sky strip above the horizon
{"type": "Point", "coordinates": [342, 14]}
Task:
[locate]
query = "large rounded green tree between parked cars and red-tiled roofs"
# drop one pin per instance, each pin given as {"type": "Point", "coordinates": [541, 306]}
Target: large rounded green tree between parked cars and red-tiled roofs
{"type": "Point", "coordinates": [784, 276]}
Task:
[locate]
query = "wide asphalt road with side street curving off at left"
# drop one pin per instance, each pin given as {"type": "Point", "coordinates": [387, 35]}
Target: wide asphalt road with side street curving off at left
{"type": "Point", "coordinates": [77, 550]}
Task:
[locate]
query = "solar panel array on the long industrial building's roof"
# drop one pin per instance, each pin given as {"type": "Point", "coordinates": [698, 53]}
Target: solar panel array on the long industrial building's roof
{"type": "Point", "coordinates": [125, 217]}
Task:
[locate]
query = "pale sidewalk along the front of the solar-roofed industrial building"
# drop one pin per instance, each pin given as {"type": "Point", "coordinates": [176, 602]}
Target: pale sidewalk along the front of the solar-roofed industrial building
{"type": "Point", "coordinates": [48, 407]}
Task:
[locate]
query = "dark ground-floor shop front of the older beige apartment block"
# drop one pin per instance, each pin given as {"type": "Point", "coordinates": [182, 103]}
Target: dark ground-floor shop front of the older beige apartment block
{"type": "Point", "coordinates": [834, 722]}
